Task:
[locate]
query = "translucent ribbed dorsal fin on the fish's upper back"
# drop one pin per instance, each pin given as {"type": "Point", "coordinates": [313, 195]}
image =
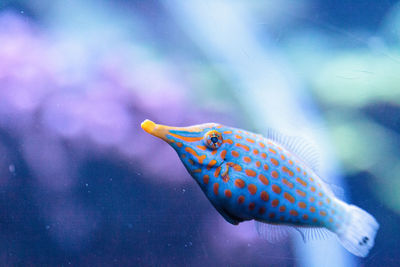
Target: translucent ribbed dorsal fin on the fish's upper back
{"type": "Point", "coordinates": [298, 146]}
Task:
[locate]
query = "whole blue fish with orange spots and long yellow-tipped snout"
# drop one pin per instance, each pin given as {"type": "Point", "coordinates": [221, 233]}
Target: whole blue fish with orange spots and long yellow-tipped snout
{"type": "Point", "coordinates": [272, 180]}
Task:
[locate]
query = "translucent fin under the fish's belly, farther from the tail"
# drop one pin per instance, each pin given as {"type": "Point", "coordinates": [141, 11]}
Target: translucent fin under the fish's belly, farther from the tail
{"type": "Point", "coordinates": [271, 232]}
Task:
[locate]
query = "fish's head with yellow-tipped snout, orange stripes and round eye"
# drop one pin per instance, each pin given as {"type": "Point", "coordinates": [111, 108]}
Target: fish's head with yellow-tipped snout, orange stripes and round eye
{"type": "Point", "coordinates": [200, 147]}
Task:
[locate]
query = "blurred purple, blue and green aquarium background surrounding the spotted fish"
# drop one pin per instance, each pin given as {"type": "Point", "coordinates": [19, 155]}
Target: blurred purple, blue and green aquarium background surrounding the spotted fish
{"type": "Point", "coordinates": [82, 185]}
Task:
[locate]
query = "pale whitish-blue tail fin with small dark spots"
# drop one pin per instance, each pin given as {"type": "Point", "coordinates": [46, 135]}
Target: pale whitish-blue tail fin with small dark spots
{"type": "Point", "coordinates": [358, 235]}
